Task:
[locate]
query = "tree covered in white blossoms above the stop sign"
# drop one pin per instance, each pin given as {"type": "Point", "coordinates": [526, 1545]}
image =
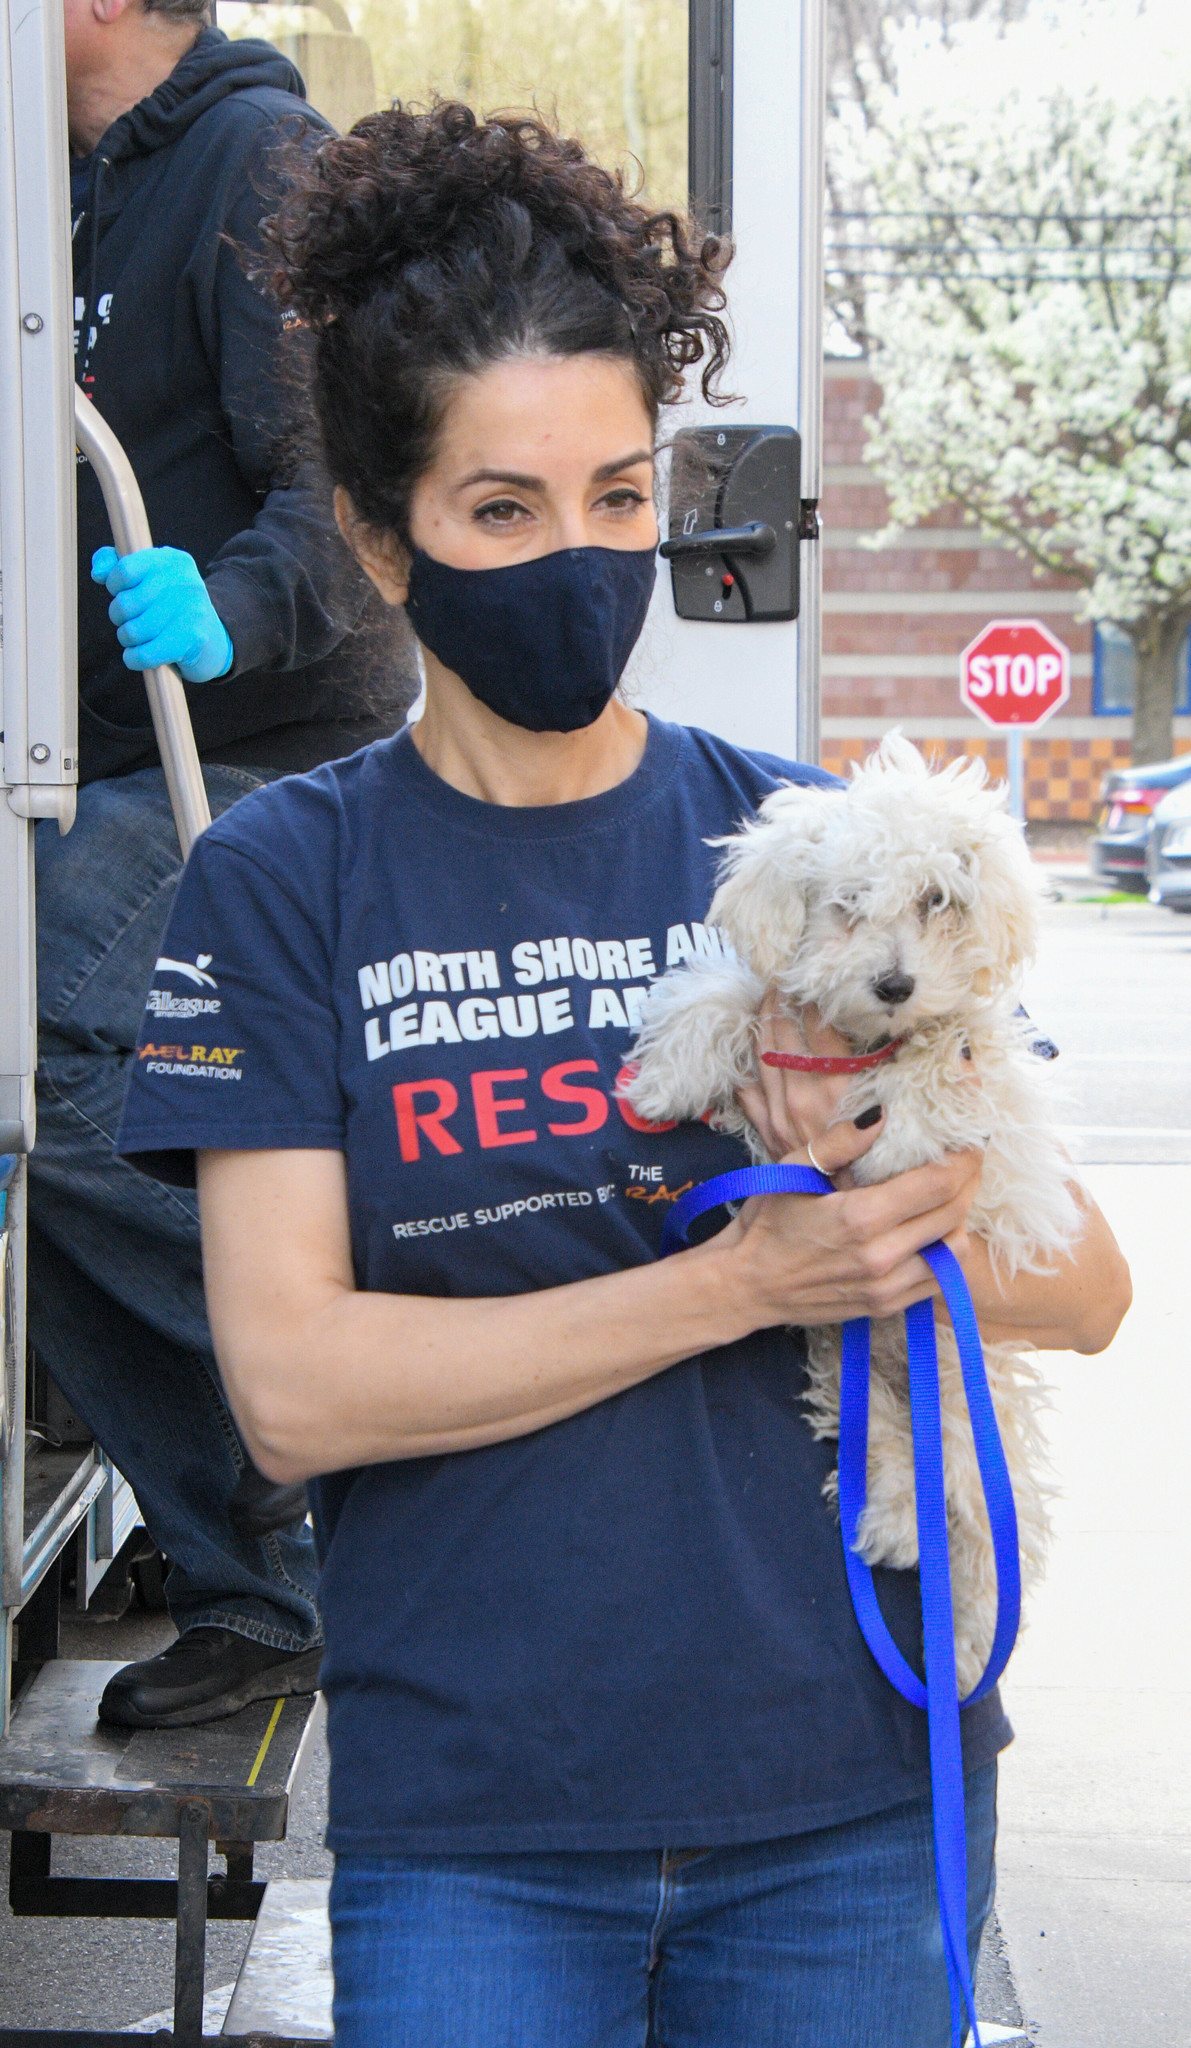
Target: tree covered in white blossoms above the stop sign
{"type": "Point", "coordinates": [1030, 327]}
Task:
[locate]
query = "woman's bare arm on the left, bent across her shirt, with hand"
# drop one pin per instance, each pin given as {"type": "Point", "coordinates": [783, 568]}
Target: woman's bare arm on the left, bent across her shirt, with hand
{"type": "Point", "coordinates": [326, 1377]}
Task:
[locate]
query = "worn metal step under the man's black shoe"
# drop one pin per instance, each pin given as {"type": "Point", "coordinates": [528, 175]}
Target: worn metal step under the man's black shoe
{"type": "Point", "coordinates": [64, 1775]}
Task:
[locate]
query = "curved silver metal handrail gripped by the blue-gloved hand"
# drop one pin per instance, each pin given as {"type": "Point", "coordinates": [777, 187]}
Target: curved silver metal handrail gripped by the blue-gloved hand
{"type": "Point", "coordinates": [165, 685]}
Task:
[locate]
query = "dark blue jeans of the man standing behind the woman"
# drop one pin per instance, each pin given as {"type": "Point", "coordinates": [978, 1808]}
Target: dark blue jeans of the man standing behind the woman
{"type": "Point", "coordinates": [116, 1275]}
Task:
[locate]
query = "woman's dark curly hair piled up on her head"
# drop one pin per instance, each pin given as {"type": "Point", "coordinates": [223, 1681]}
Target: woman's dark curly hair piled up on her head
{"type": "Point", "coordinates": [427, 247]}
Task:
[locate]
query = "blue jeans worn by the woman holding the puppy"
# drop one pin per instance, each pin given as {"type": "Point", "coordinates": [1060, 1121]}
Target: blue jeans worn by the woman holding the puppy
{"type": "Point", "coordinates": [824, 1940]}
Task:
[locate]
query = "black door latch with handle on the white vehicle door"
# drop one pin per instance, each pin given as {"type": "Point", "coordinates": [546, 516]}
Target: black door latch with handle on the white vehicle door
{"type": "Point", "coordinates": [734, 523]}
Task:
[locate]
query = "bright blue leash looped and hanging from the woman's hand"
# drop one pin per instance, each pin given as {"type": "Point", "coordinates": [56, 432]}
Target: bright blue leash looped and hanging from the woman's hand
{"type": "Point", "coordinates": [940, 1697]}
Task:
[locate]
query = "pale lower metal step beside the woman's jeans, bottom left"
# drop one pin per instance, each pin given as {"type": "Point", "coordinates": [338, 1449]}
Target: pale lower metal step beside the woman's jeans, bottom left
{"type": "Point", "coordinates": [285, 1979]}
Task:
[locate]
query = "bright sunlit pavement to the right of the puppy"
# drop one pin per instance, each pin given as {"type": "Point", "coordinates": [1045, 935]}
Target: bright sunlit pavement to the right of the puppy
{"type": "Point", "coordinates": [1094, 1885]}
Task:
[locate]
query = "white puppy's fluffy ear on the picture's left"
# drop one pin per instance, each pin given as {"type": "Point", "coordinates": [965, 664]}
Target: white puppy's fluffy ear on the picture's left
{"type": "Point", "coordinates": [760, 904]}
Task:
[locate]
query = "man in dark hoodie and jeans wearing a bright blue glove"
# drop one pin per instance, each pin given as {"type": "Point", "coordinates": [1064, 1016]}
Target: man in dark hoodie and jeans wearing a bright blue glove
{"type": "Point", "coordinates": [177, 153]}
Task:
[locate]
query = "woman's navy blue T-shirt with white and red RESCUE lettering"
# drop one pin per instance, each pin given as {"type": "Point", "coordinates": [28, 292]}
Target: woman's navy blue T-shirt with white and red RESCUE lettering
{"type": "Point", "coordinates": [629, 1629]}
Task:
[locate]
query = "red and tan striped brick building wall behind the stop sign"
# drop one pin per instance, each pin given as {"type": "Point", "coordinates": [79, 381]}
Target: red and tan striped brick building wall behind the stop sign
{"type": "Point", "coordinates": [897, 620]}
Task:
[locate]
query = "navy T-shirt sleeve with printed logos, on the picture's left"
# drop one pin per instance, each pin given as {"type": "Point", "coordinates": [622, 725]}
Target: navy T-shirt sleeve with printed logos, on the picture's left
{"type": "Point", "coordinates": [240, 1041]}
